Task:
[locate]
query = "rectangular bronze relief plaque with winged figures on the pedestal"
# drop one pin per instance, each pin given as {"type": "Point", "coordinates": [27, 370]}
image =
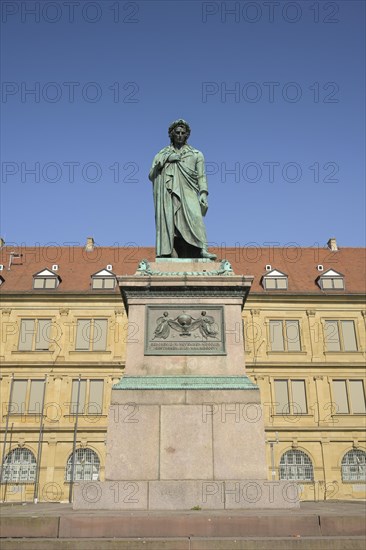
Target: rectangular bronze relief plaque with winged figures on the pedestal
{"type": "Point", "coordinates": [184, 330]}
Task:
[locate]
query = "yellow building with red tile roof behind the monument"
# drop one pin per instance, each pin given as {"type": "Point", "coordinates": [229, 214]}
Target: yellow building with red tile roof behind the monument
{"type": "Point", "coordinates": [63, 340]}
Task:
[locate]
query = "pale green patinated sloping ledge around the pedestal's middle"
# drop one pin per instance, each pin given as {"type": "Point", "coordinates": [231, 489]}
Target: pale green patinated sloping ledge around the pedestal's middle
{"type": "Point", "coordinates": [185, 383]}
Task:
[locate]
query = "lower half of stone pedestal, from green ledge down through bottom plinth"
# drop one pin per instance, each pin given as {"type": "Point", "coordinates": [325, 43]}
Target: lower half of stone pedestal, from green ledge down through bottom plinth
{"type": "Point", "coordinates": [179, 448]}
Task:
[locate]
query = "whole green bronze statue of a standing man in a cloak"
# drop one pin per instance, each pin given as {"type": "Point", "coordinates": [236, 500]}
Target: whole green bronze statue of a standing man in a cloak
{"type": "Point", "coordinates": [180, 197]}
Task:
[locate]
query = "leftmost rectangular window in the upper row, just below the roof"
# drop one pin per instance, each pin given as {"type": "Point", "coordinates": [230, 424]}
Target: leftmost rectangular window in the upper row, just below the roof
{"type": "Point", "coordinates": [35, 334]}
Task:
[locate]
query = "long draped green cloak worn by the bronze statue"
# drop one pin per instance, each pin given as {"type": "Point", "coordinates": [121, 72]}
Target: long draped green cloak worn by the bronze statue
{"type": "Point", "coordinates": [176, 188]}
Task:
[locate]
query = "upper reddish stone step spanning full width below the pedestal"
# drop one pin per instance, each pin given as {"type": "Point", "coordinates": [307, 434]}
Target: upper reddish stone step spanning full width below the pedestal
{"type": "Point", "coordinates": [78, 525]}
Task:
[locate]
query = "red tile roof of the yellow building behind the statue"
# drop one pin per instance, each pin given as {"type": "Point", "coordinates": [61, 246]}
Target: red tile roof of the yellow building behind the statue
{"type": "Point", "coordinates": [76, 266]}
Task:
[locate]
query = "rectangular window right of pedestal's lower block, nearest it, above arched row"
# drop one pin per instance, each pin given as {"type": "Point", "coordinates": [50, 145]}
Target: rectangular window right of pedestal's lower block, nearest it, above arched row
{"type": "Point", "coordinates": [290, 397]}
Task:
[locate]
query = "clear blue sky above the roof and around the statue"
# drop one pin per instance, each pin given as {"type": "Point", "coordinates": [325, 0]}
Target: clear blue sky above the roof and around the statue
{"type": "Point", "coordinates": [285, 150]}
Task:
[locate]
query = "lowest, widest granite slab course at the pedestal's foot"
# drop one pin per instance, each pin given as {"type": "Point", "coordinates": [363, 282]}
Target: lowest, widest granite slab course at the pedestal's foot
{"type": "Point", "coordinates": [186, 495]}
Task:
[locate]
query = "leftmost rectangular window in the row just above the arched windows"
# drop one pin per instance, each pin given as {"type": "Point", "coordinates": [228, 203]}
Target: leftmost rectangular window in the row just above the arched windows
{"type": "Point", "coordinates": [27, 396]}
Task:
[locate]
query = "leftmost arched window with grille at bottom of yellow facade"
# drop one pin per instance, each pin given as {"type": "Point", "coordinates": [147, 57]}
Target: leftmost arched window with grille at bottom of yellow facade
{"type": "Point", "coordinates": [19, 466]}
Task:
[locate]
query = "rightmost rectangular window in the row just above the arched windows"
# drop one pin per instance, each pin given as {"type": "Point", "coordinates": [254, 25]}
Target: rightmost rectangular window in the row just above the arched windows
{"type": "Point", "coordinates": [349, 396]}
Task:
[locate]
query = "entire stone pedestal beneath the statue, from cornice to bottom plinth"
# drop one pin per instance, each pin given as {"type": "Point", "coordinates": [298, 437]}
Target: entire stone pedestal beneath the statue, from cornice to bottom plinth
{"type": "Point", "coordinates": [185, 425]}
